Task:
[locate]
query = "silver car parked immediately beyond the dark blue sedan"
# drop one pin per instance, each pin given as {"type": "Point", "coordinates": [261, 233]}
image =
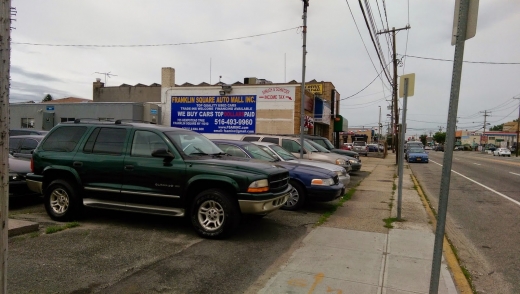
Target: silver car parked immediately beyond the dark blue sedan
{"type": "Point", "coordinates": [281, 154]}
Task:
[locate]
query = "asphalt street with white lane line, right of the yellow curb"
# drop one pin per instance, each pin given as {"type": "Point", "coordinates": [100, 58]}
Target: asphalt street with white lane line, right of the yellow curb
{"type": "Point", "coordinates": [483, 219]}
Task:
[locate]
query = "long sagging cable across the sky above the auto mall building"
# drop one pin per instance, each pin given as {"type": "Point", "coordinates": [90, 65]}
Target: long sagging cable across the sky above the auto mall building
{"type": "Point", "coordinates": [155, 45]}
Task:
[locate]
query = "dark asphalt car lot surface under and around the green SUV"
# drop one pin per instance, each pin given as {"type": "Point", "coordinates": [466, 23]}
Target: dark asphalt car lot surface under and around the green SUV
{"type": "Point", "coordinates": [117, 252]}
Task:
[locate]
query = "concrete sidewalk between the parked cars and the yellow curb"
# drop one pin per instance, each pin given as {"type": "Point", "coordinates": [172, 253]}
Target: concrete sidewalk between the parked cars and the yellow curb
{"type": "Point", "coordinates": [353, 252]}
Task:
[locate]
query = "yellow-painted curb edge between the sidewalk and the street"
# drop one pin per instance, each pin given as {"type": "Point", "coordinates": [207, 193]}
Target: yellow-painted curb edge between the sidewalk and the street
{"type": "Point", "coordinates": [459, 278]}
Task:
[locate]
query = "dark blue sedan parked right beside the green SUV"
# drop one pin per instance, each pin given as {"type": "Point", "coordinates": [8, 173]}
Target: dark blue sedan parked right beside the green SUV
{"type": "Point", "coordinates": [309, 183]}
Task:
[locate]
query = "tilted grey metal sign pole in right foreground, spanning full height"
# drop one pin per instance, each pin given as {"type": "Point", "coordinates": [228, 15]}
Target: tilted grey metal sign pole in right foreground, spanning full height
{"type": "Point", "coordinates": [448, 151]}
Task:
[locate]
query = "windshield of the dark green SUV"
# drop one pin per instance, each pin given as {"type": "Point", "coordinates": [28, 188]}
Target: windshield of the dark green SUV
{"type": "Point", "coordinates": [192, 143]}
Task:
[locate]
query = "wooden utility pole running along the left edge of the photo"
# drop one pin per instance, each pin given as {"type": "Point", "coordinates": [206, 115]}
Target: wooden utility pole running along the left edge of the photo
{"type": "Point", "coordinates": [5, 51]}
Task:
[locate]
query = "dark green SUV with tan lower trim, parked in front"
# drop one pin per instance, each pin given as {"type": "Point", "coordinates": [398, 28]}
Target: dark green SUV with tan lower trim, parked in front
{"type": "Point", "coordinates": [151, 169]}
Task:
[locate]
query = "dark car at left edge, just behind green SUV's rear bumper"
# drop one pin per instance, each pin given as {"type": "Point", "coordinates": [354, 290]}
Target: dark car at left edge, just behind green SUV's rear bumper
{"type": "Point", "coordinates": [18, 169]}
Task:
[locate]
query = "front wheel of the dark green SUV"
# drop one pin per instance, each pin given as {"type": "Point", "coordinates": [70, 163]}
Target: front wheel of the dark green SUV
{"type": "Point", "coordinates": [214, 215]}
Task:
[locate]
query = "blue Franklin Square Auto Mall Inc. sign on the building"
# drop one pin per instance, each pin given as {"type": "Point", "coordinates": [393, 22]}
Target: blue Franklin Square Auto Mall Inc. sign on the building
{"type": "Point", "coordinates": [214, 114]}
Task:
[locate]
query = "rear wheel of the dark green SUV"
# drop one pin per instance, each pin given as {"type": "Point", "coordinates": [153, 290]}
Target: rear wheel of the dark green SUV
{"type": "Point", "coordinates": [61, 201]}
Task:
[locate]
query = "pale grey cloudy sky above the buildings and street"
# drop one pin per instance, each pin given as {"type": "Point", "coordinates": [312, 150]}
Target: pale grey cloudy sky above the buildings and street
{"type": "Point", "coordinates": [231, 39]}
